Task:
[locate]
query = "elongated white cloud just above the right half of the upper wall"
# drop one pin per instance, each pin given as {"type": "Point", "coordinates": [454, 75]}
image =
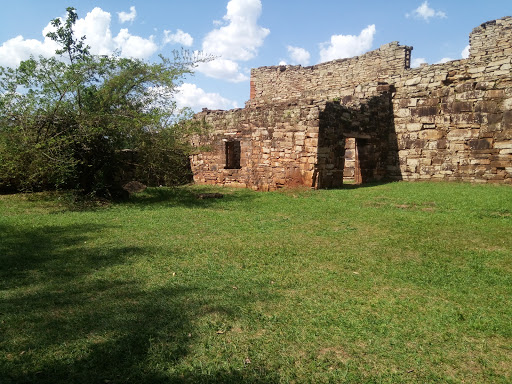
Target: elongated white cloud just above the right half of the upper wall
{"type": "Point", "coordinates": [342, 46]}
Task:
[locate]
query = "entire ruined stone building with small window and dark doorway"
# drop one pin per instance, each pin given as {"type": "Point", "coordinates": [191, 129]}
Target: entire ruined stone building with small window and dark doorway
{"type": "Point", "coordinates": [367, 118]}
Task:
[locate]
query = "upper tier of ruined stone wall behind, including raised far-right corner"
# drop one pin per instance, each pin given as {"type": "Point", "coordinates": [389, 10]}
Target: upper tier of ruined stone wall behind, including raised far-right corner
{"type": "Point", "coordinates": [488, 42]}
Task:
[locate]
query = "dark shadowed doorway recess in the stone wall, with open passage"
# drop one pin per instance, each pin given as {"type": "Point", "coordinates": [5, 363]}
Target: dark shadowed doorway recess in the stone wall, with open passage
{"type": "Point", "coordinates": [357, 141]}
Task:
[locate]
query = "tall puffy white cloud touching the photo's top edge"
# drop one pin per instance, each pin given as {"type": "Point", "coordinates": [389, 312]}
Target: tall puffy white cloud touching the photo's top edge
{"type": "Point", "coordinates": [242, 36]}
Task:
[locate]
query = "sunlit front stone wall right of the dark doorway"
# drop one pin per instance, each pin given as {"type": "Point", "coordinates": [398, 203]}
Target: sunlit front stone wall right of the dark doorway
{"type": "Point", "coordinates": [454, 122]}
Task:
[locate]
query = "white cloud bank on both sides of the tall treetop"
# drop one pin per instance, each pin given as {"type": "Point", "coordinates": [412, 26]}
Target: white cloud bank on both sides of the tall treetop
{"type": "Point", "coordinates": [95, 26]}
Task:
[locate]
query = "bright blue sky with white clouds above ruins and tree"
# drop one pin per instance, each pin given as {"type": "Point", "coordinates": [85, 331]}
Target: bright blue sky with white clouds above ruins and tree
{"type": "Point", "coordinates": [244, 34]}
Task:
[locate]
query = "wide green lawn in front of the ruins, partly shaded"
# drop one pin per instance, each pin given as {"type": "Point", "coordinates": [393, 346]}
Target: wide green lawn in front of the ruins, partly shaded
{"type": "Point", "coordinates": [390, 283]}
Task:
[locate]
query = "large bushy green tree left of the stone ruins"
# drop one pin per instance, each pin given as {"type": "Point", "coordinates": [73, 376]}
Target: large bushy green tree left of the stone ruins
{"type": "Point", "coordinates": [69, 122]}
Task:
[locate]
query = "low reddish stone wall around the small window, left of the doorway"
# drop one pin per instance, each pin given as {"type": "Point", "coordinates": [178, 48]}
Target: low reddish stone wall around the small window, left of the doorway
{"type": "Point", "coordinates": [278, 146]}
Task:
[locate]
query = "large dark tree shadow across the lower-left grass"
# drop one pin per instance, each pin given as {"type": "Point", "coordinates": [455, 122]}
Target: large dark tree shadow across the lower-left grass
{"type": "Point", "coordinates": [65, 319]}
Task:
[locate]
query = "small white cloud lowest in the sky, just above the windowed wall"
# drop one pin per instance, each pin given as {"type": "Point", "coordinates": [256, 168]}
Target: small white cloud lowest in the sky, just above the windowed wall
{"type": "Point", "coordinates": [189, 95]}
